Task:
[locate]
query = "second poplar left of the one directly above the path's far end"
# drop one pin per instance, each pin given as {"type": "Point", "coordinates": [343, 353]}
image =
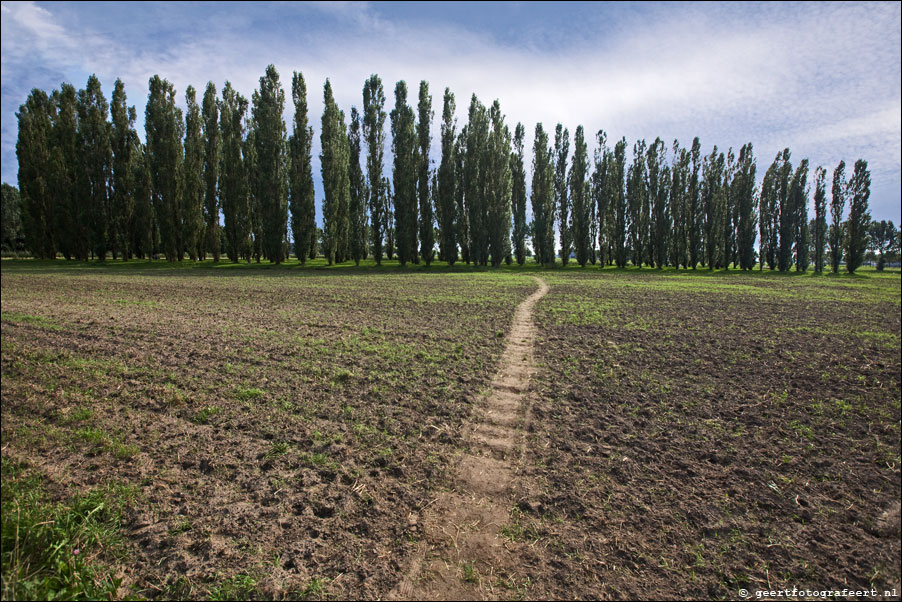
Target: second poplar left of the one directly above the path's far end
{"type": "Point", "coordinates": [498, 187]}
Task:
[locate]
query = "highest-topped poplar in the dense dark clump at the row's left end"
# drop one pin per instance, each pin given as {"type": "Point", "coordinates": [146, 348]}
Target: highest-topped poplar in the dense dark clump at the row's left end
{"type": "Point", "coordinates": [96, 154]}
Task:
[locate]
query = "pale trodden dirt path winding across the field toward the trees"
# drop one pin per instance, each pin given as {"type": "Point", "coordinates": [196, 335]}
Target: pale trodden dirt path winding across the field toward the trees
{"type": "Point", "coordinates": [463, 553]}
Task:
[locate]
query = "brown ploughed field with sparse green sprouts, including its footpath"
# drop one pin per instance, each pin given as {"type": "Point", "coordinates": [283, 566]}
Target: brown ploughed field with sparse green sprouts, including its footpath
{"type": "Point", "coordinates": [291, 433]}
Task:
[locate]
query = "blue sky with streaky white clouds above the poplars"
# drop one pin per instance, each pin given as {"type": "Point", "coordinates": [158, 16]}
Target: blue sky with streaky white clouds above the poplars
{"type": "Point", "coordinates": [824, 80]}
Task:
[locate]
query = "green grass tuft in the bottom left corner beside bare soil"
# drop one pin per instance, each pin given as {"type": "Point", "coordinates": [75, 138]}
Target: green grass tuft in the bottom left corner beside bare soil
{"type": "Point", "coordinates": [59, 549]}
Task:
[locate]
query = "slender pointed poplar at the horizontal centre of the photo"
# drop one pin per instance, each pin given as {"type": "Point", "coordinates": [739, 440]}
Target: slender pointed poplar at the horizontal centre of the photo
{"type": "Point", "coordinates": [446, 209]}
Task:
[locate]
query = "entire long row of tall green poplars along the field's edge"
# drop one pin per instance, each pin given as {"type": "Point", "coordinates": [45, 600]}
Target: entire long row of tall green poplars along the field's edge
{"type": "Point", "coordinates": [90, 187]}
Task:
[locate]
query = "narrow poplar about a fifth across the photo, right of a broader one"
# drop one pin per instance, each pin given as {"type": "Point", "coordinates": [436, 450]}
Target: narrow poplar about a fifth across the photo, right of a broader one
{"type": "Point", "coordinates": [193, 187]}
